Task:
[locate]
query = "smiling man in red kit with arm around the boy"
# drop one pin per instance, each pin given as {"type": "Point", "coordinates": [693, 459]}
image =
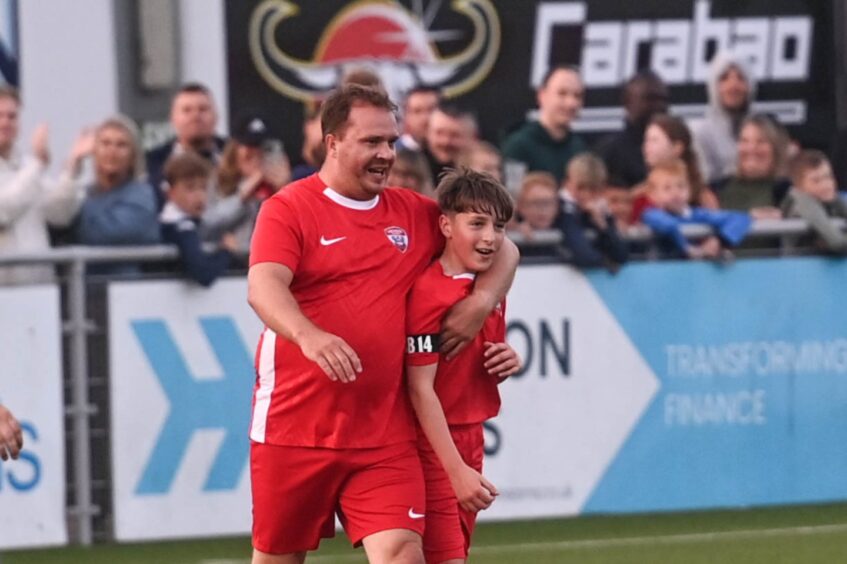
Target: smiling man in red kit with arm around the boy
{"type": "Point", "coordinates": [332, 259]}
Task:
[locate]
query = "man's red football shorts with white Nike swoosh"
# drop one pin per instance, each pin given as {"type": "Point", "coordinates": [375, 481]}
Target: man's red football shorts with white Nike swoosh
{"type": "Point", "coordinates": [298, 490]}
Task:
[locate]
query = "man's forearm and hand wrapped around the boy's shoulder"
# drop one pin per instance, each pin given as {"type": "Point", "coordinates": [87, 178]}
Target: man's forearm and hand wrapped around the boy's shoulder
{"type": "Point", "coordinates": [465, 319]}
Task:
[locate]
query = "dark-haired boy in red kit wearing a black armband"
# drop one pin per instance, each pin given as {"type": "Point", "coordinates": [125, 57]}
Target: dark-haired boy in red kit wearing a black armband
{"type": "Point", "coordinates": [452, 398]}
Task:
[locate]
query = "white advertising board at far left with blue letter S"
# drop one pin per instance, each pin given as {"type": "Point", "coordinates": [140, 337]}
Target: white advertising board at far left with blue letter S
{"type": "Point", "coordinates": [32, 488]}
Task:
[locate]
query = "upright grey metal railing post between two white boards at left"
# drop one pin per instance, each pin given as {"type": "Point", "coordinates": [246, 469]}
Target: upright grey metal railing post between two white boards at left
{"type": "Point", "coordinates": [80, 409]}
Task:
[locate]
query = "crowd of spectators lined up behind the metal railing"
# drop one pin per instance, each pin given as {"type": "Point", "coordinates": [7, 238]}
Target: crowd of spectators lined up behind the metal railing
{"type": "Point", "coordinates": [198, 189]}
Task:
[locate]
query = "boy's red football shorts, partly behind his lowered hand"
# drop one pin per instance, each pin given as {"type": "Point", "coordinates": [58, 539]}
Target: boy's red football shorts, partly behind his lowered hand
{"type": "Point", "coordinates": [448, 527]}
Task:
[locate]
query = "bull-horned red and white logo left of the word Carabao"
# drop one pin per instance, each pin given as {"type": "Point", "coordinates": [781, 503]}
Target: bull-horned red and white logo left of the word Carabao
{"type": "Point", "coordinates": [381, 35]}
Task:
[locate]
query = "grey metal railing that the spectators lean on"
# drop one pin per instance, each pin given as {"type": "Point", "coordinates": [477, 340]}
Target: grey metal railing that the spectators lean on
{"type": "Point", "coordinates": [77, 327]}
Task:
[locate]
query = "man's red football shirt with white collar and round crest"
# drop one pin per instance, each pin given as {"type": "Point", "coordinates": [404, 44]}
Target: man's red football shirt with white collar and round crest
{"type": "Point", "coordinates": [353, 263]}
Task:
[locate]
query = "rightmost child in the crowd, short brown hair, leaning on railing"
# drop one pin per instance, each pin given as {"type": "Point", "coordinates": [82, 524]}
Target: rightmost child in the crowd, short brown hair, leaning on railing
{"type": "Point", "coordinates": [814, 198]}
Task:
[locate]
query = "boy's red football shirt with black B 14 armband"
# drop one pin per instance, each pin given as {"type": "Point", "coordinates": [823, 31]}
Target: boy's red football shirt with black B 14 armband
{"type": "Point", "coordinates": [468, 393]}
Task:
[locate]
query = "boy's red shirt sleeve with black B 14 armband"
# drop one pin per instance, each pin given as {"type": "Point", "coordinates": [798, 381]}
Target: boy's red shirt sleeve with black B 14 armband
{"type": "Point", "coordinates": [423, 324]}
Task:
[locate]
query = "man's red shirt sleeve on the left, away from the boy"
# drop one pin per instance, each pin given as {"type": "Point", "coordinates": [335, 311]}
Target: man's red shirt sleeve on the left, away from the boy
{"type": "Point", "coordinates": [278, 235]}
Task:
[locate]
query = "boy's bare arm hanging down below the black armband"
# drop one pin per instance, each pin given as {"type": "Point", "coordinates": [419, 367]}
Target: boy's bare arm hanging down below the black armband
{"type": "Point", "coordinates": [472, 490]}
